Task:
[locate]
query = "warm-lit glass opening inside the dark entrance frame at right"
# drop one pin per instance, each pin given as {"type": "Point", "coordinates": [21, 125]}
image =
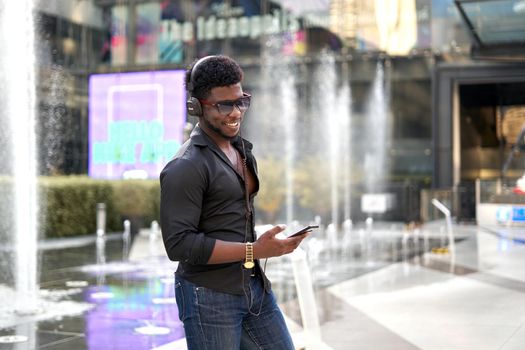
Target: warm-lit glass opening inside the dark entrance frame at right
{"type": "Point", "coordinates": [491, 117]}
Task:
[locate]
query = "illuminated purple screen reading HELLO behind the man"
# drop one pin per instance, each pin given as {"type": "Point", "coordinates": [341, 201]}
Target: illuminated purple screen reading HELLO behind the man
{"type": "Point", "coordinates": [136, 122]}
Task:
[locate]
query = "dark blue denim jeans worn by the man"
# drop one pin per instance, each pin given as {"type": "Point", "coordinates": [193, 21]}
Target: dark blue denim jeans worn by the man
{"type": "Point", "coordinates": [221, 321]}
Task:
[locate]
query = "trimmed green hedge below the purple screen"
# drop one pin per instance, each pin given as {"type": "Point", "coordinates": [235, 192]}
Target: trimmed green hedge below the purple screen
{"type": "Point", "coordinates": [68, 204]}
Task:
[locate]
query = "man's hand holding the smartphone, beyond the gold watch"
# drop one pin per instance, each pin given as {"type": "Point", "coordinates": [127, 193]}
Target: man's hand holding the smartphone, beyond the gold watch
{"type": "Point", "coordinates": [268, 245]}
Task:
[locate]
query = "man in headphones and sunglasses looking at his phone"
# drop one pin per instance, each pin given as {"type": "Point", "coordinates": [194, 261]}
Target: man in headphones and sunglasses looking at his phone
{"type": "Point", "coordinates": [207, 192]}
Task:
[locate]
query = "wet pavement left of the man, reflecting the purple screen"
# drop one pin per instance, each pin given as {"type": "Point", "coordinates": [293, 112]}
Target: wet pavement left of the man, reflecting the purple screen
{"type": "Point", "coordinates": [130, 304]}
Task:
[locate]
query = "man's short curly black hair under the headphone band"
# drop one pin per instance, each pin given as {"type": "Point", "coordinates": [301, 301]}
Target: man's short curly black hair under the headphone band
{"type": "Point", "coordinates": [214, 71]}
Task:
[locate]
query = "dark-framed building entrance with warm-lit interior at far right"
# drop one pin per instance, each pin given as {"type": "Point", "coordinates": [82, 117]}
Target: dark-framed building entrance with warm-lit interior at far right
{"type": "Point", "coordinates": [478, 114]}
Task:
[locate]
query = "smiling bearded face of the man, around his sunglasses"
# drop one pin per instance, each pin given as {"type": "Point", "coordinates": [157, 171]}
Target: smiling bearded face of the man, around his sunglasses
{"type": "Point", "coordinates": [224, 126]}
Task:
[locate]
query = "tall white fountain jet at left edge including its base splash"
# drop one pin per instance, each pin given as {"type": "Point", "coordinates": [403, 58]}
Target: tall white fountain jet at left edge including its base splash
{"type": "Point", "coordinates": [18, 182]}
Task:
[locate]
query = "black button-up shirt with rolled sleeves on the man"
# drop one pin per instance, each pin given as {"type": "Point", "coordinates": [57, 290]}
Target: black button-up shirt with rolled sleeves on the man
{"type": "Point", "coordinates": [203, 199]}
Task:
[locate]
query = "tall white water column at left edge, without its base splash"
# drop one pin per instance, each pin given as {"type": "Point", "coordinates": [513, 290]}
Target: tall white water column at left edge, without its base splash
{"type": "Point", "coordinates": [18, 111]}
